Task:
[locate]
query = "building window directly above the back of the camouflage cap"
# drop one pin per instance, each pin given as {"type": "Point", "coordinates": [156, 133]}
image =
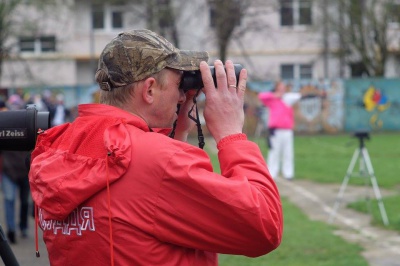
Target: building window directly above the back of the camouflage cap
{"type": "Point", "coordinates": [107, 18]}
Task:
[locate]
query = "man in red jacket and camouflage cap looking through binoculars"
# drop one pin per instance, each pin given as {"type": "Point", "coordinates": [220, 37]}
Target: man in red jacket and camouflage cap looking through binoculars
{"type": "Point", "coordinates": [114, 187]}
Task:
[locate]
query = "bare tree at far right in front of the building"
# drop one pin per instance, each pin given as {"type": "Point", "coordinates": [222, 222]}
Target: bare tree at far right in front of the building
{"type": "Point", "coordinates": [363, 30]}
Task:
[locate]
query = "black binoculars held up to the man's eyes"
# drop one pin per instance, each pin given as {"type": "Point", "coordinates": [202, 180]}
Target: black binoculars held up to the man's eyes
{"type": "Point", "coordinates": [191, 80]}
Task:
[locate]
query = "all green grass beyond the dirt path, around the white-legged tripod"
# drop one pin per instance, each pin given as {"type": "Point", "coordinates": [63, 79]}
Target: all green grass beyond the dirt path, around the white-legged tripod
{"type": "Point", "coordinates": [326, 159]}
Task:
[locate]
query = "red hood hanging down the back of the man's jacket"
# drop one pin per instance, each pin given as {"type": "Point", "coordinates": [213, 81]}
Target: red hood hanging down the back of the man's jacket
{"type": "Point", "coordinates": [62, 176]}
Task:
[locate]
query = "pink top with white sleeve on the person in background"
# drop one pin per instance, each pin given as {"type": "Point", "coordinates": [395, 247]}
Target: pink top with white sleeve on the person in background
{"type": "Point", "coordinates": [280, 110]}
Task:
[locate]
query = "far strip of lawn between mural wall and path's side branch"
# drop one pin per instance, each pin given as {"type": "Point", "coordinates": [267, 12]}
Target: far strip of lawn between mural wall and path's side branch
{"type": "Point", "coordinates": [326, 158]}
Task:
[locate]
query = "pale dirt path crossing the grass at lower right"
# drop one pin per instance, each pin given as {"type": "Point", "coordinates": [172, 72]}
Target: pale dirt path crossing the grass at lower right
{"type": "Point", "coordinates": [382, 247]}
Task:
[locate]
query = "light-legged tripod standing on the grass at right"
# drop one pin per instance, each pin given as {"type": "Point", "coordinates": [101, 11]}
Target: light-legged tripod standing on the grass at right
{"type": "Point", "coordinates": [365, 170]}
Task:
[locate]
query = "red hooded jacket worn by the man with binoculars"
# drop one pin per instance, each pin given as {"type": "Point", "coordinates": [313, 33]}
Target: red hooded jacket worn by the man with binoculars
{"type": "Point", "coordinates": [165, 203]}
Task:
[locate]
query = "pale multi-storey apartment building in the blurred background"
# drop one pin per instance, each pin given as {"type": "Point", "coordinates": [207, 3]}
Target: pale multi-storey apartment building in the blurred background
{"type": "Point", "coordinates": [275, 39]}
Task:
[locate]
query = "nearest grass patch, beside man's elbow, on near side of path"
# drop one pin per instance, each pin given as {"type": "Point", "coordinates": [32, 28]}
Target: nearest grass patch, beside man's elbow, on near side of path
{"type": "Point", "coordinates": [305, 243]}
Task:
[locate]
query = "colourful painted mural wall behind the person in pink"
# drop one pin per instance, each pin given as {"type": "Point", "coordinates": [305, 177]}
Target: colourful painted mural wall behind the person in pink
{"type": "Point", "coordinates": [346, 105]}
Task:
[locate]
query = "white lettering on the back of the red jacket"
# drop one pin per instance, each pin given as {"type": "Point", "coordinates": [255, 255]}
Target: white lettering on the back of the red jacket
{"type": "Point", "coordinates": [80, 219]}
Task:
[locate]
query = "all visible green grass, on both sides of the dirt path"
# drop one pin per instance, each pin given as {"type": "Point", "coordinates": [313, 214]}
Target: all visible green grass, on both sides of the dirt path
{"type": "Point", "coordinates": [325, 159]}
